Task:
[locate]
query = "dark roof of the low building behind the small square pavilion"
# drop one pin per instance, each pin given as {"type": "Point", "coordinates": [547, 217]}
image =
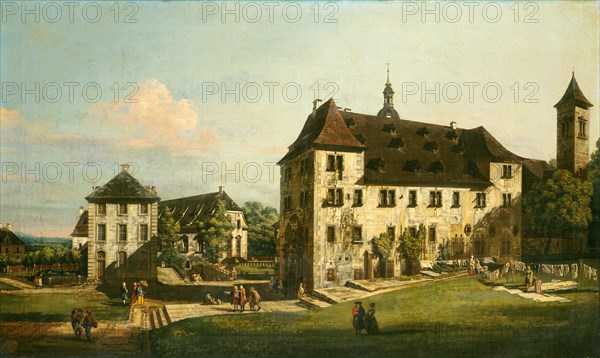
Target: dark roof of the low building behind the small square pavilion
{"type": "Point", "coordinates": [190, 211]}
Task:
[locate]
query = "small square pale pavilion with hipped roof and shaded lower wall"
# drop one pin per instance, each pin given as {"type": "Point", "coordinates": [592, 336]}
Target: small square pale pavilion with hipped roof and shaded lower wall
{"type": "Point", "coordinates": [122, 218]}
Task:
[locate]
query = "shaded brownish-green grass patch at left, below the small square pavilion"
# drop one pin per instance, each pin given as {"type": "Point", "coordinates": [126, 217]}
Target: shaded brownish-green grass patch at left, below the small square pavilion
{"type": "Point", "coordinates": [56, 307]}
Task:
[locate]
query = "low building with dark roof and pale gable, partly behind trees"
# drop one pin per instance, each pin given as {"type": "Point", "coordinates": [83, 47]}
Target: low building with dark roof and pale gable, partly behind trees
{"type": "Point", "coordinates": [190, 211]}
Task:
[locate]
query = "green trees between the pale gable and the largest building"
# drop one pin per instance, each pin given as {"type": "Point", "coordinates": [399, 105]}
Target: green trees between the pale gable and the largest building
{"type": "Point", "coordinates": [262, 236]}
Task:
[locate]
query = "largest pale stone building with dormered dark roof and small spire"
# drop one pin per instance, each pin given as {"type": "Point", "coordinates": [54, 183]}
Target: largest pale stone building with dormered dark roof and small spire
{"type": "Point", "coordinates": [349, 177]}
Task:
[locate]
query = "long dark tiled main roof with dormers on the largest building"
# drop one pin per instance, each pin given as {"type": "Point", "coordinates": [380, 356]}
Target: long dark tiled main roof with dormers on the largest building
{"type": "Point", "coordinates": [406, 152]}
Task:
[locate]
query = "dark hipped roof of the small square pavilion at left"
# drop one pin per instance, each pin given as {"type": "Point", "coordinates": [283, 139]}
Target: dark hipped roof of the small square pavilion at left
{"type": "Point", "coordinates": [122, 188]}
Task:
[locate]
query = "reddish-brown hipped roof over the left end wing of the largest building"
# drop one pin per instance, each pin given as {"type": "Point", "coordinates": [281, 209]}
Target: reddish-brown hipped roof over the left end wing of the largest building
{"type": "Point", "coordinates": [325, 130]}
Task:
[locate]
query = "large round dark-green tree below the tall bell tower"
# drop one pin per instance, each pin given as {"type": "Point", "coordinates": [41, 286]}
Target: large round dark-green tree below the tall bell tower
{"type": "Point", "coordinates": [560, 205]}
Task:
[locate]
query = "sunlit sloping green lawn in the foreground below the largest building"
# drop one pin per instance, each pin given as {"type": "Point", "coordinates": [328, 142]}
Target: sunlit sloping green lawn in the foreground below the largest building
{"type": "Point", "coordinates": [453, 318]}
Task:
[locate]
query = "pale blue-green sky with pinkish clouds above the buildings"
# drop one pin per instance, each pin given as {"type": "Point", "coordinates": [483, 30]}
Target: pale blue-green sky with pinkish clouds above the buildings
{"type": "Point", "coordinates": [197, 95]}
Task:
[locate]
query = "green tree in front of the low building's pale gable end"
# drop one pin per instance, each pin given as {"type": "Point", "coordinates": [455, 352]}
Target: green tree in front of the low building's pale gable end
{"type": "Point", "coordinates": [215, 232]}
